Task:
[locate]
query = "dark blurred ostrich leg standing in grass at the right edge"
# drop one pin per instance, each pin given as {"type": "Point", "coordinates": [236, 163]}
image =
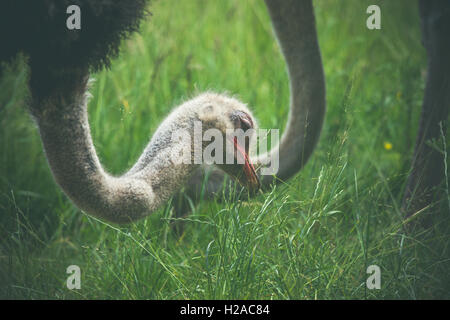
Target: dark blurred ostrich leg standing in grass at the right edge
{"type": "Point", "coordinates": [427, 172]}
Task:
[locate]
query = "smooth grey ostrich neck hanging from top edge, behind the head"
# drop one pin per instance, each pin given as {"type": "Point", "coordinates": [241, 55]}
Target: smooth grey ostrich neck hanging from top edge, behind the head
{"type": "Point", "coordinates": [294, 25]}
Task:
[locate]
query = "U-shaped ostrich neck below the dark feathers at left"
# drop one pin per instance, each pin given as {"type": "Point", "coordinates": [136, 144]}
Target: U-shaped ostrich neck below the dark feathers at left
{"type": "Point", "coordinates": [63, 124]}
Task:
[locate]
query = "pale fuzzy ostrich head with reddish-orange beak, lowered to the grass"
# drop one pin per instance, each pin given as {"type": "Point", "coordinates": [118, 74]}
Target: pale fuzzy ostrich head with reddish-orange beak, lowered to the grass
{"type": "Point", "coordinates": [224, 116]}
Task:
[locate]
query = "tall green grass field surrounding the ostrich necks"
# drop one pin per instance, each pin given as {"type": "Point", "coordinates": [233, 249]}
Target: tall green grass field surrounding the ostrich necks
{"type": "Point", "coordinates": [311, 238]}
